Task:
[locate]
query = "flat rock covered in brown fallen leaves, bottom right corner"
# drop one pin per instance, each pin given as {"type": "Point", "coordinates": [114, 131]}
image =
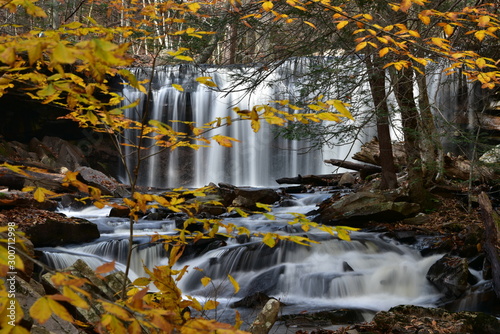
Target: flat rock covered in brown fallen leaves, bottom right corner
{"type": "Point", "coordinates": [415, 319]}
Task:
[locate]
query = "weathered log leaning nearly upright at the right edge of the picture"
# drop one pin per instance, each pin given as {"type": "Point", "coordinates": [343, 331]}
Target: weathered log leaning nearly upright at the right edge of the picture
{"type": "Point", "coordinates": [492, 239]}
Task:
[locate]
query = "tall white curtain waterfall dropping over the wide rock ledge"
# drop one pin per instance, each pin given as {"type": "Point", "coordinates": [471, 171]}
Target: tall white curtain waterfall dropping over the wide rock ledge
{"type": "Point", "coordinates": [258, 160]}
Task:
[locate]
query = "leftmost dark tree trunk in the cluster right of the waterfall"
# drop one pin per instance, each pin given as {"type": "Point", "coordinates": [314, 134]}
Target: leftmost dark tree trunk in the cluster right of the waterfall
{"type": "Point", "coordinates": [376, 78]}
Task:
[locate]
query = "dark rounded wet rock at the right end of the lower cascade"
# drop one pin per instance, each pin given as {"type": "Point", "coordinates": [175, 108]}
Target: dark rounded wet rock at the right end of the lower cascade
{"type": "Point", "coordinates": [450, 275]}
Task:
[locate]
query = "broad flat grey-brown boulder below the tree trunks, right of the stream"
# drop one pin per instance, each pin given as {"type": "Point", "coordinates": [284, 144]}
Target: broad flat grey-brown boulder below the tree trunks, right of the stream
{"type": "Point", "coordinates": [359, 208]}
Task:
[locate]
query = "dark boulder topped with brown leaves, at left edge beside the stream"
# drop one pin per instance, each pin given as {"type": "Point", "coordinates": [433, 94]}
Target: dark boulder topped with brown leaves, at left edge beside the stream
{"type": "Point", "coordinates": [50, 229]}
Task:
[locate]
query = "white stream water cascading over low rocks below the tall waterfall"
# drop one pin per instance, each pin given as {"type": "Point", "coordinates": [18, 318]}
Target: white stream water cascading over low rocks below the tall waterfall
{"type": "Point", "coordinates": [369, 273]}
